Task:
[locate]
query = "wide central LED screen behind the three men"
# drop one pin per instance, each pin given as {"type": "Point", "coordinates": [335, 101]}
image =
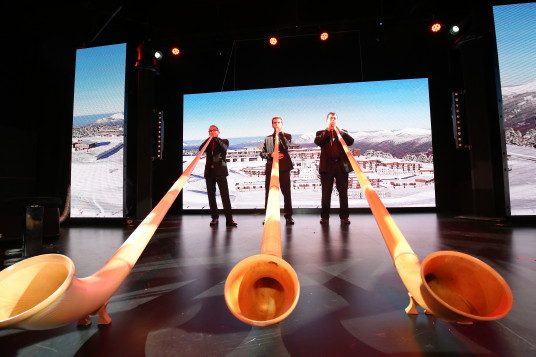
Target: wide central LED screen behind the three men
{"type": "Point", "coordinates": [389, 120]}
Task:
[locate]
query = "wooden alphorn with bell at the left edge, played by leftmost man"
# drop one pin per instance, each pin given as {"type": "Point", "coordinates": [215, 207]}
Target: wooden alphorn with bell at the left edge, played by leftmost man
{"type": "Point", "coordinates": [42, 293]}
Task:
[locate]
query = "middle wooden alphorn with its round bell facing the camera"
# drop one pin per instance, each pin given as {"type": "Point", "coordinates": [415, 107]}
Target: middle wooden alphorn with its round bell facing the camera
{"type": "Point", "coordinates": [263, 289]}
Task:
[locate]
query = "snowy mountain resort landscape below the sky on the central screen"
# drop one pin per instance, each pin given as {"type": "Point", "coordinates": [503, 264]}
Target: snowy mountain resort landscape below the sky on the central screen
{"type": "Point", "coordinates": [399, 162]}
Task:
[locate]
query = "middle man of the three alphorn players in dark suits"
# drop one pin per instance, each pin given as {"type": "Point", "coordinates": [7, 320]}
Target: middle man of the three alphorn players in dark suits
{"type": "Point", "coordinates": [285, 165]}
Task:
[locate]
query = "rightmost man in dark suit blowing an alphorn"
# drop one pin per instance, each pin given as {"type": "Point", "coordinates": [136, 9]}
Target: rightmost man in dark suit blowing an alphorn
{"type": "Point", "coordinates": [334, 165]}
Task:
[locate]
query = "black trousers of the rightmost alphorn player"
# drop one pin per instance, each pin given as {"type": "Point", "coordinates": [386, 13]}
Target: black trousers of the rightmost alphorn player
{"type": "Point", "coordinates": [337, 173]}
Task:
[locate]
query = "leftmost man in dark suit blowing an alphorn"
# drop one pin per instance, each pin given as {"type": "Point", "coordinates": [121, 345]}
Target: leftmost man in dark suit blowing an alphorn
{"type": "Point", "coordinates": [216, 173]}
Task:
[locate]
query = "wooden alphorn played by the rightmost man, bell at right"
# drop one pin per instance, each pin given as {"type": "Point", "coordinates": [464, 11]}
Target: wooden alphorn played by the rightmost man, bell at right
{"type": "Point", "coordinates": [450, 285]}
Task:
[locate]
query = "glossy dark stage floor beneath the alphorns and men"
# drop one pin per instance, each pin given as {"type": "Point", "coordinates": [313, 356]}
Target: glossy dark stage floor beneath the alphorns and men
{"type": "Point", "coordinates": [351, 303]}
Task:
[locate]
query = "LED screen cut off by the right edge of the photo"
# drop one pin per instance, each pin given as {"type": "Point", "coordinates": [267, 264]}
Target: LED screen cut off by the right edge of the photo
{"type": "Point", "coordinates": [515, 28]}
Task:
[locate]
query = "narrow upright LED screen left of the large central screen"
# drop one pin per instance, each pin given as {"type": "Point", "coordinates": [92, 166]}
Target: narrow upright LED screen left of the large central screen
{"type": "Point", "coordinates": [98, 133]}
